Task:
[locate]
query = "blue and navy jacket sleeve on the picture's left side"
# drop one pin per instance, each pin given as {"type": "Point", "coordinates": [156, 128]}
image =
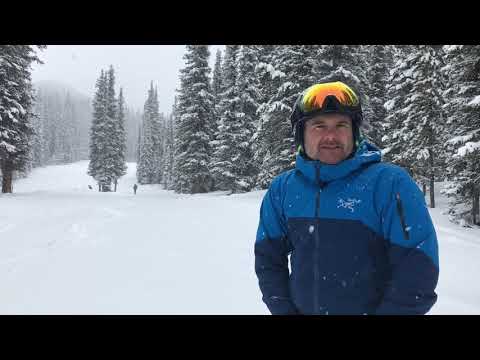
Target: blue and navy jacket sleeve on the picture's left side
{"type": "Point", "coordinates": [271, 250]}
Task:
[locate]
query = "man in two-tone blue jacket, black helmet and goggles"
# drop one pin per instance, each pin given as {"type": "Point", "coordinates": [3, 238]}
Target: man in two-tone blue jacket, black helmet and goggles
{"type": "Point", "coordinates": [358, 232]}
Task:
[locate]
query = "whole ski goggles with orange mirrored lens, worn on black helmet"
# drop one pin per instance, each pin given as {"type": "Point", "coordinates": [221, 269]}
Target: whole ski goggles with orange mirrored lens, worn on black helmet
{"type": "Point", "coordinates": [313, 99]}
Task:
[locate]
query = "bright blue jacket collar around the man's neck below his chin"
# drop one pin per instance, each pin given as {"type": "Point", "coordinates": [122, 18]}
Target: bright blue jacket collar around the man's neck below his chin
{"type": "Point", "coordinates": [366, 154]}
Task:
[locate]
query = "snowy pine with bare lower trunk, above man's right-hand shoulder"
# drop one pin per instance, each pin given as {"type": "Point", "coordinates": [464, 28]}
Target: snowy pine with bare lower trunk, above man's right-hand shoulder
{"type": "Point", "coordinates": [415, 124]}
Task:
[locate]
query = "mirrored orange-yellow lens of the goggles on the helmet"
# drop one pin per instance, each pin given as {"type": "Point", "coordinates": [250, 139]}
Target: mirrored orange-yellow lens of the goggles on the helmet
{"type": "Point", "coordinates": [315, 95]}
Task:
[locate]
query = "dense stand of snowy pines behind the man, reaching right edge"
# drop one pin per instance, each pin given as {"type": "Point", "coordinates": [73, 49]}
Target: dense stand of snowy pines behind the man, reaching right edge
{"type": "Point", "coordinates": [229, 128]}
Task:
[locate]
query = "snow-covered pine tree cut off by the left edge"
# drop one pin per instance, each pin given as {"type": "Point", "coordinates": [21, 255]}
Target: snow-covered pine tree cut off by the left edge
{"type": "Point", "coordinates": [16, 101]}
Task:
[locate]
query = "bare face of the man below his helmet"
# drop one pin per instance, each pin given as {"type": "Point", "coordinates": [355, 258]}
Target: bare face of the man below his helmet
{"type": "Point", "coordinates": [329, 138]}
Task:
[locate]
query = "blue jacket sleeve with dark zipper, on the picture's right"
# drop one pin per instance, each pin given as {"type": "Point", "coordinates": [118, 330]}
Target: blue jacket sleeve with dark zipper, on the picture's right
{"type": "Point", "coordinates": [412, 249]}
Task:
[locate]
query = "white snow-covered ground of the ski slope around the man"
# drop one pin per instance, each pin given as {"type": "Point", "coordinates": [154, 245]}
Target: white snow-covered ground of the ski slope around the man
{"type": "Point", "coordinates": [66, 249]}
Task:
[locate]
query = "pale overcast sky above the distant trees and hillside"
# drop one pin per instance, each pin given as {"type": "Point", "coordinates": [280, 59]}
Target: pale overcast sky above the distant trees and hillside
{"type": "Point", "coordinates": [135, 66]}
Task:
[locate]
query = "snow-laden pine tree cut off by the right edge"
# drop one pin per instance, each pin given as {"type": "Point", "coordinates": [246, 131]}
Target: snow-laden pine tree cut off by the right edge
{"type": "Point", "coordinates": [463, 109]}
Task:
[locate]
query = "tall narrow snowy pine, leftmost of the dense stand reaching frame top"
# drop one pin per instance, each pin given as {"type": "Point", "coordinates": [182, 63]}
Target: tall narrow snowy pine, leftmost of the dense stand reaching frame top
{"type": "Point", "coordinates": [195, 123]}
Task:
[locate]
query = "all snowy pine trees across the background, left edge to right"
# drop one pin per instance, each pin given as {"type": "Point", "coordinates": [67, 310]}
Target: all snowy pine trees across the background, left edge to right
{"type": "Point", "coordinates": [229, 128]}
